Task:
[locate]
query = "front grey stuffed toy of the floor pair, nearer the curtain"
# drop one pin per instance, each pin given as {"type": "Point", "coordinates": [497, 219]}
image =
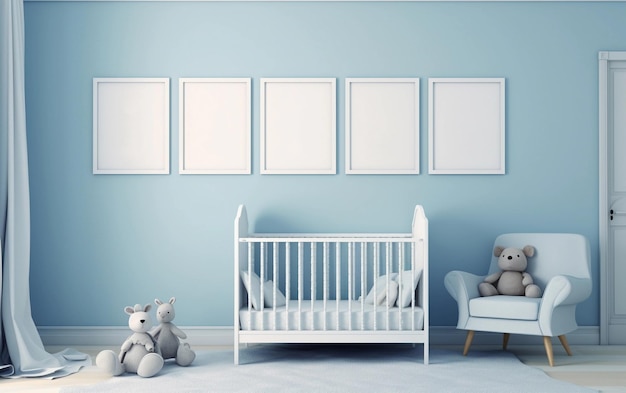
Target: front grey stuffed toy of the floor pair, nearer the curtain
{"type": "Point", "coordinates": [139, 353]}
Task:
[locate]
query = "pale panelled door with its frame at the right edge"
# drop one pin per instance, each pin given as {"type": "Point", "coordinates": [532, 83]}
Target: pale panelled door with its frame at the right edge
{"type": "Point", "coordinates": [612, 229]}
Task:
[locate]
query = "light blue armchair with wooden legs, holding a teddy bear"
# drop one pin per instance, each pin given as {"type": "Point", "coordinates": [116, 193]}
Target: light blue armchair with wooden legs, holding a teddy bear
{"type": "Point", "coordinates": [561, 268]}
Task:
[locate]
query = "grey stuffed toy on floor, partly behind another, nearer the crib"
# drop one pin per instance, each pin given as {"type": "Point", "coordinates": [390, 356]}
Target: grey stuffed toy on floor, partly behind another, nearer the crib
{"type": "Point", "coordinates": [168, 335]}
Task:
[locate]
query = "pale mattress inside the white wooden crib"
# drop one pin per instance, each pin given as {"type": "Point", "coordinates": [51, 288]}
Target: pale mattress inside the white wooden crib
{"type": "Point", "coordinates": [343, 315]}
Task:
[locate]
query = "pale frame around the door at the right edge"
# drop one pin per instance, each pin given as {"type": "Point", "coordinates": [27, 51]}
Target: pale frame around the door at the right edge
{"type": "Point", "coordinates": [604, 59]}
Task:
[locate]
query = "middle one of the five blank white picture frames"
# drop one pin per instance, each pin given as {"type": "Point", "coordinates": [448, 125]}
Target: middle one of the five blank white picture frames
{"type": "Point", "coordinates": [298, 126]}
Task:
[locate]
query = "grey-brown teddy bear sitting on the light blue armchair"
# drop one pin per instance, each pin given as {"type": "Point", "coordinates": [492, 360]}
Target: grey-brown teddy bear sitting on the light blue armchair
{"type": "Point", "coordinates": [512, 279]}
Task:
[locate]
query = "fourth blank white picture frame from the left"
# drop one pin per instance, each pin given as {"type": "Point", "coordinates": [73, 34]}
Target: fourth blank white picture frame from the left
{"type": "Point", "coordinates": [382, 126]}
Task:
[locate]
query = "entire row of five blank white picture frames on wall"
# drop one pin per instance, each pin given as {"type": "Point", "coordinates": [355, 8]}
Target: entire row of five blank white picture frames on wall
{"type": "Point", "coordinates": [298, 125]}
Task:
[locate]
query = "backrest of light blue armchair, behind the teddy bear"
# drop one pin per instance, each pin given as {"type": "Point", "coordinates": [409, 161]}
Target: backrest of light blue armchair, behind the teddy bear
{"type": "Point", "coordinates": [555, 254]}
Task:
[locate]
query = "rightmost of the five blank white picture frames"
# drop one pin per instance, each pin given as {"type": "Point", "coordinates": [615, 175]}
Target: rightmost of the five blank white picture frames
{"type": "Point", "coordinates": [466, 125]}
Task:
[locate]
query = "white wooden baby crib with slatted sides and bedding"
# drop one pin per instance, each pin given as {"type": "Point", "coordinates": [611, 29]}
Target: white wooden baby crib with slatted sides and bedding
{"type": "Point", "coordinates": [331, 288]}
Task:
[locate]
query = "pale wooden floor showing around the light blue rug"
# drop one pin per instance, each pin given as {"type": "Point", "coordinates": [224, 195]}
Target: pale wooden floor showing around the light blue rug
{"type": "Point", "coordinates": [598, 367]}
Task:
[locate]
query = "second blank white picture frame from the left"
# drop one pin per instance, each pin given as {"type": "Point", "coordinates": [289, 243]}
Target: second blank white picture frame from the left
{"type": "Point", "coordinates": [215, 126]}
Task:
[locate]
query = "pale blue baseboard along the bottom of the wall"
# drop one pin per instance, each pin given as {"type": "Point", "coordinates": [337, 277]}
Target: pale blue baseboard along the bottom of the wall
{"type": "Point", "coordinates": [223, 336]}
